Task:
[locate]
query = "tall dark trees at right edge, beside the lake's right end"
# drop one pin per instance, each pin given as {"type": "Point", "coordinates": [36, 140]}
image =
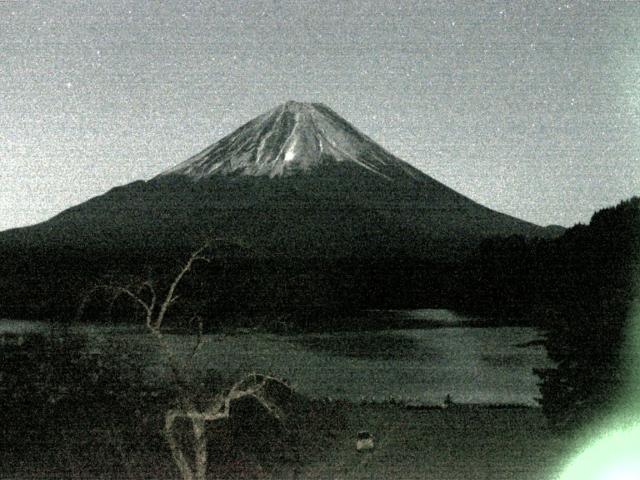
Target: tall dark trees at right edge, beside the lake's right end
{"type": "Point", "coordinates": [598, 263]}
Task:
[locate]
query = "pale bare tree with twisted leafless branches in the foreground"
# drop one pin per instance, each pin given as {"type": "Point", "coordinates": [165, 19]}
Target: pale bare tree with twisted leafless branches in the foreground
{"type": "Point", "coordinates": [254, 386]}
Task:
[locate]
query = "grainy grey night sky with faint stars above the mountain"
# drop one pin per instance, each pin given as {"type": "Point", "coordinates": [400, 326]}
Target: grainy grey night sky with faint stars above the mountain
{"type": "Point", "coordinates": [531, 108]}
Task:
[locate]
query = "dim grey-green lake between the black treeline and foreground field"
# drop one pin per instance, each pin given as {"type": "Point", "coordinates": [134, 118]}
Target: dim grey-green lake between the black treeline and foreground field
{"type": "Point", "coordinates": [420, 366]}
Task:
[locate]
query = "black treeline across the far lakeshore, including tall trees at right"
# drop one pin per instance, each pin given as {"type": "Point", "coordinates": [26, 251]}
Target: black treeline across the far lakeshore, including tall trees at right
{"type": "Point", "coordinates": [578, 287]}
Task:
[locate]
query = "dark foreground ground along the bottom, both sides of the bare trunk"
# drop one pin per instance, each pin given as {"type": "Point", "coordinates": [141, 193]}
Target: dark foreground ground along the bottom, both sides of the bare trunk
{"type": "Point", "coordinates": [455, 443]}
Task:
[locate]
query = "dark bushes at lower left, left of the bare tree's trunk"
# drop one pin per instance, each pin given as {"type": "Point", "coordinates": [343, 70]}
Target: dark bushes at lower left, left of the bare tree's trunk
{"type": "Point", "coordinates": [51, 381]}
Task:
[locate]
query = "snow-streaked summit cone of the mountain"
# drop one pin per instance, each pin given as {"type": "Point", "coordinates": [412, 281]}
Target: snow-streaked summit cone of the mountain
{"type": "Point", "coordinates": [293, 137]}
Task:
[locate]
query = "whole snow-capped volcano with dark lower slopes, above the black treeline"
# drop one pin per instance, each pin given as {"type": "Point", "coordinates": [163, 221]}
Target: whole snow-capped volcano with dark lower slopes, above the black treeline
{"type": "Point", "coordinates": [297, 181]}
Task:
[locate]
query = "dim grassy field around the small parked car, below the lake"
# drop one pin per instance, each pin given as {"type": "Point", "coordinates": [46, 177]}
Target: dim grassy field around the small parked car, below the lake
{"type": "Point", "coordinates": [456, 443]}
